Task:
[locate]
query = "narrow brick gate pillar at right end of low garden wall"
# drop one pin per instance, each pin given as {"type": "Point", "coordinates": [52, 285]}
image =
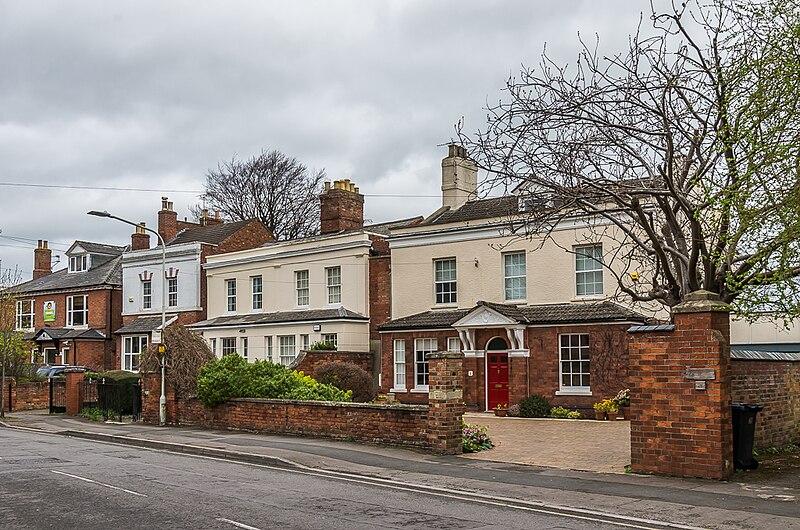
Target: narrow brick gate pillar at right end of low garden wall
{"type": "Point", "coordinates": [445, 398]}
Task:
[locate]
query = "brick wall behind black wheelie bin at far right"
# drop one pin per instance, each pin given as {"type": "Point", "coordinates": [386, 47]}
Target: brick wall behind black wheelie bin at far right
{"type": "Point", "coordinates": [776, 386]}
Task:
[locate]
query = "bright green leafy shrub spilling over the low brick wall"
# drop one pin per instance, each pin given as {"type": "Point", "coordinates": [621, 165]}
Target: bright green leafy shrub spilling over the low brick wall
{"type": "Point", "coordinates": [233, 377]}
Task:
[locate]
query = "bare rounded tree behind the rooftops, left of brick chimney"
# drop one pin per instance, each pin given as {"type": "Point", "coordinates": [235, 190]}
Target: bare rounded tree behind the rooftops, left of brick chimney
{"type": "Point", "coordinates": [274, 188]}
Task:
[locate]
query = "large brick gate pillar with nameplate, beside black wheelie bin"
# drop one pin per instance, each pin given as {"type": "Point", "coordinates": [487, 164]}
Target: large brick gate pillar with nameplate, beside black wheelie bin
{"type": "Point", "coordinates": [680, 392]}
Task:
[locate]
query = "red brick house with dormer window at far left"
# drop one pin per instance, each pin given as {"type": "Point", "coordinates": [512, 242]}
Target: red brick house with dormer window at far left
{"type": "Point", "coordinates": [71, 314]}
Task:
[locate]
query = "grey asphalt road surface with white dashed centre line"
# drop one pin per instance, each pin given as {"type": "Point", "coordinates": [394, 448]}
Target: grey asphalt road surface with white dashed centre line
{"type": "Point", "coordinates": [49, 481]}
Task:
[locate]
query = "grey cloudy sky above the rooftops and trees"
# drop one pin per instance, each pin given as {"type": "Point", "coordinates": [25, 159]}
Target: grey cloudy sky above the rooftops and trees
{"type": "Point", "coordinates": [150, 94]}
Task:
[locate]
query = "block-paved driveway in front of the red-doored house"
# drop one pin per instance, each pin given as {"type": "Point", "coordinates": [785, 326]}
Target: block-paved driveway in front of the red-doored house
{"type": "Point", "coordinates": [583, 445]}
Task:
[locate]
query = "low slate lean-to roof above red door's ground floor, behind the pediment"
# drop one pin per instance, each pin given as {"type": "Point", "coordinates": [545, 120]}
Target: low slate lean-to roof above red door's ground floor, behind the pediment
{"type": "Point", "coordinates": [568, 313]}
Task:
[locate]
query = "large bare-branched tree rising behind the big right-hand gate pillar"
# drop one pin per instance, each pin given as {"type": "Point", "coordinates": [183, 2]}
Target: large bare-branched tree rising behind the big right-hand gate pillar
{"type": "Point", "coordinates": [685, 149]}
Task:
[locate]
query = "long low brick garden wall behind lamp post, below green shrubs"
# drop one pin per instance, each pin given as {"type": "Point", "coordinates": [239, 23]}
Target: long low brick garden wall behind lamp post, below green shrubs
{"type": "Point", "coordinates": [387, 424]}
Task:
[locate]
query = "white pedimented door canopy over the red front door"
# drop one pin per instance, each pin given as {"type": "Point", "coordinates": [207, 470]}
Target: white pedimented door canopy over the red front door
{"type": "Point", "coordinates": [486, 315]}
